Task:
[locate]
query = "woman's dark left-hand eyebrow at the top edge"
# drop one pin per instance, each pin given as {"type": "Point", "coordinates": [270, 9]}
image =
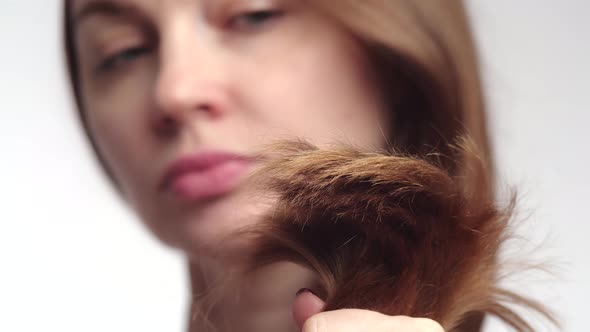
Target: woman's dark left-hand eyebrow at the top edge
{"type": "Point", "coordinates": [106, 8]}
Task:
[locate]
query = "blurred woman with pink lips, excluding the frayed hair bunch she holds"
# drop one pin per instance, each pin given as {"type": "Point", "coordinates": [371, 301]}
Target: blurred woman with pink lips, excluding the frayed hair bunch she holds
{"type": "Point", "coordinates": [178, 96]}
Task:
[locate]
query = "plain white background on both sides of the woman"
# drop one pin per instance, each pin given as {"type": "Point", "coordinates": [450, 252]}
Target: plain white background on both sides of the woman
{"type": "Point", "coordinates": [72, 258]}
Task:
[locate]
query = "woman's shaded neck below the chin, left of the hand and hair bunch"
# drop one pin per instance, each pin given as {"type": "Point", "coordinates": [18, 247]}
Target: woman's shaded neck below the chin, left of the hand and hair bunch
{"type": "Point", "coordinates": [225, 299]}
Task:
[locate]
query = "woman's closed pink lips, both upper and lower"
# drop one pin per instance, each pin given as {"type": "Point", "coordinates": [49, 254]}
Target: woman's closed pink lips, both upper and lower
{"type": "Point", "coordinates": [204, 175]}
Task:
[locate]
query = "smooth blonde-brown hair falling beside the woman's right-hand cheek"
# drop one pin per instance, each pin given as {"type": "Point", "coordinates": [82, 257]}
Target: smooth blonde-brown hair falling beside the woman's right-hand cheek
{"type": "Point", "coordinates": [426, 50]}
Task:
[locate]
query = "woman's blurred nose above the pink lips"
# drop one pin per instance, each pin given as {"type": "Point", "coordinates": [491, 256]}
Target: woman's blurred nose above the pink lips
{"type": "Point", "coordinates": [190, 85]}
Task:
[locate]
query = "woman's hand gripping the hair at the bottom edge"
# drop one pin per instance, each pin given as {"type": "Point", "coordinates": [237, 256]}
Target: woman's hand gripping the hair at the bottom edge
{"type": "Point", "coordinates": [307, 312]}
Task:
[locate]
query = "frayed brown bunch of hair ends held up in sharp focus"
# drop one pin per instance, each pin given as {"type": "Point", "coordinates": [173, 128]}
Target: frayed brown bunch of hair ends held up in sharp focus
{"type": "Point", "coordinates": [390, 233]}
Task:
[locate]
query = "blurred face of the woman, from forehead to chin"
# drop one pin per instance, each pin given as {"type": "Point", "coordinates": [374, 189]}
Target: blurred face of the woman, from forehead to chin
{"type": "Point", "coordinates": [180, 94]}
